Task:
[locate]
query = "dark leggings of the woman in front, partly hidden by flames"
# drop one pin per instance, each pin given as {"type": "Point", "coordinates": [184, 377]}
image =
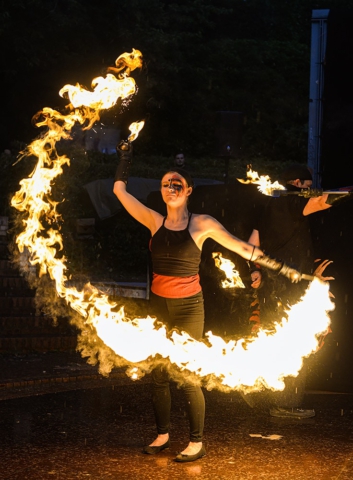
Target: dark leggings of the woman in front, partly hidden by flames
{"type": "Point", "coordinates": [186, 314]}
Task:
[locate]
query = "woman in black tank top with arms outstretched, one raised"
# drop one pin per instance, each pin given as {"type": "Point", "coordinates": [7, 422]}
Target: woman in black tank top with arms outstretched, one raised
{"type": "Point", "coordinates": [176, 298]}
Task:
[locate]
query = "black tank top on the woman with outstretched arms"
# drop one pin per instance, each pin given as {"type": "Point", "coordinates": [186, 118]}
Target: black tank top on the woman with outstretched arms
{"type": "Point", "coordinates": [174, 253]}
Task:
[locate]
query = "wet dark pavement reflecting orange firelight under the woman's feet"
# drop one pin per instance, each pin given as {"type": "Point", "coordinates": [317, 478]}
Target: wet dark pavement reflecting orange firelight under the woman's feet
{"type": "Point", "coordinates": [92, 429]}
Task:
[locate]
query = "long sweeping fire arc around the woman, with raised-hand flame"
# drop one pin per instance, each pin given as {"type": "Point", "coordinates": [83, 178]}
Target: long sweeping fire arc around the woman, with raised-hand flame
{"type": "Point", "coordinates": [140, 343]}
